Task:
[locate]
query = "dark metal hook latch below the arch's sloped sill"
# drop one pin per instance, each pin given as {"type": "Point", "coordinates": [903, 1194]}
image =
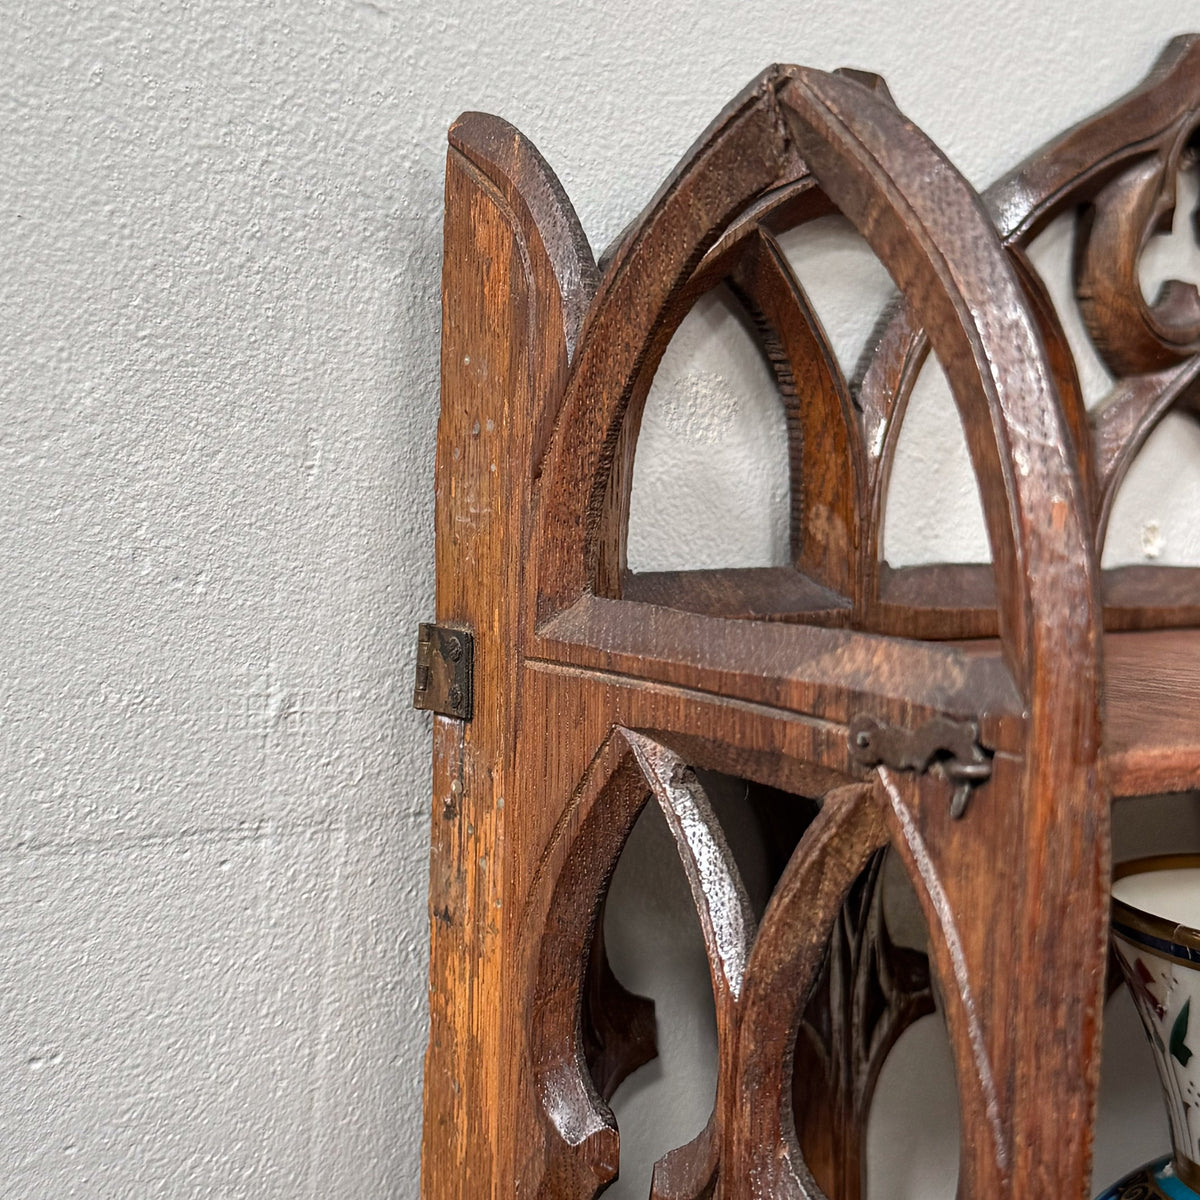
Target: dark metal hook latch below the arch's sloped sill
{"type": "Point", "coordinates": [943, 743]}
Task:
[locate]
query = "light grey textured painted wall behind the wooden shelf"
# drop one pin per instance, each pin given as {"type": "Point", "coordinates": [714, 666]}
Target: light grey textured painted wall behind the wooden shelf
{"type": "Point", "coordinates": [220, 231]}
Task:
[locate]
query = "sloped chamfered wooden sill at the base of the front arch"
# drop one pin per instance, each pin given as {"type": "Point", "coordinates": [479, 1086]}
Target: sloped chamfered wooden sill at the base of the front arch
{"type": "Point", "coordinates": [827, 674]}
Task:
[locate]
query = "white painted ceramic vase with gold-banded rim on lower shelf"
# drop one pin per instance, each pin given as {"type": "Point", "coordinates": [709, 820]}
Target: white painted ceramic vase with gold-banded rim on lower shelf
{"type": "Point", "coordinates": [1156, 937]}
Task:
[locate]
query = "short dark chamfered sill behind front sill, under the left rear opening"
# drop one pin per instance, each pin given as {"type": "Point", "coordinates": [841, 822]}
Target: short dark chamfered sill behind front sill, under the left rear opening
{"type": "Point", "coordinates": [749, 593]}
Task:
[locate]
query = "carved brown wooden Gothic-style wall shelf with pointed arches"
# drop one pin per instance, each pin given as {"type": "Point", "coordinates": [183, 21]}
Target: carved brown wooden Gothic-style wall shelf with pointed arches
{"type": "Point", "coordinates": [977, 721]}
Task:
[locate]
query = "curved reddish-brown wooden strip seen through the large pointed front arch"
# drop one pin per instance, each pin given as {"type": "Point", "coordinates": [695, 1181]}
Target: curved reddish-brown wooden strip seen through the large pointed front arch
{"type": "Point", "coordinates": [829, 483]}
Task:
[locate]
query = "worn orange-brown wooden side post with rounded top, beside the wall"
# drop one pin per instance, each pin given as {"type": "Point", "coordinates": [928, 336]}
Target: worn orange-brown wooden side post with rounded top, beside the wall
{"type": "Point", "coordinates": [512, 247]}
